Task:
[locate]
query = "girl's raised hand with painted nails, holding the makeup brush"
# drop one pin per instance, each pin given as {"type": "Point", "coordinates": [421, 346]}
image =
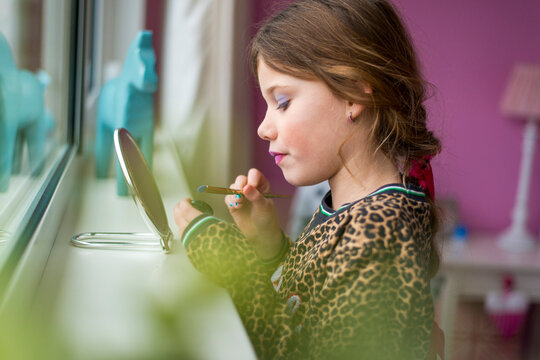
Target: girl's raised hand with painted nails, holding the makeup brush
{"type": "Point", "coordinates": [254, 214]}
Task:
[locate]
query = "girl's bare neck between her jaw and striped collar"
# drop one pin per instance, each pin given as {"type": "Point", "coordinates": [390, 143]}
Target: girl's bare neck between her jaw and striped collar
{"type": "Point", "coordinates": [367, 178]}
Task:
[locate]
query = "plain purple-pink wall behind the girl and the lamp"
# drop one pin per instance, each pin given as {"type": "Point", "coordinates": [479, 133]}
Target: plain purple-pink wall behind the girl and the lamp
{"type": "Point", "coordinates": [467, 49]}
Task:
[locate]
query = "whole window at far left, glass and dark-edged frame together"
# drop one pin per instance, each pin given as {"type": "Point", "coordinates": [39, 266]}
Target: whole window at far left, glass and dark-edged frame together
{"type": "Point", "coordinates": [39, 110]}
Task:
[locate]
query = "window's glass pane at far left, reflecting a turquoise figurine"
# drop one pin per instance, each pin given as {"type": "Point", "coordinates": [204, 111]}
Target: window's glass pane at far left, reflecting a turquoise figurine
{"type": "Point", "coordinates": [34, 81]}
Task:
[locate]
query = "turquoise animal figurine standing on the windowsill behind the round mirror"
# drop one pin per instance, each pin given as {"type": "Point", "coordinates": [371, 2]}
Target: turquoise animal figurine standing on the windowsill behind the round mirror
{"type": "Point", "coordinates": [127, 101]}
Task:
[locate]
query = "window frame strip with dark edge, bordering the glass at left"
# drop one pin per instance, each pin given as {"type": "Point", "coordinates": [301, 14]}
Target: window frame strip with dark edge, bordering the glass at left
{"type": "Point", "coordinates": [26, 243]}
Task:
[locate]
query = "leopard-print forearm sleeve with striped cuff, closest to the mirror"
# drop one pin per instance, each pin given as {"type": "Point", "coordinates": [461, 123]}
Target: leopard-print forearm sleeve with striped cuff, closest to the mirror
{"type": "Point", "coordinates": [219, 250]}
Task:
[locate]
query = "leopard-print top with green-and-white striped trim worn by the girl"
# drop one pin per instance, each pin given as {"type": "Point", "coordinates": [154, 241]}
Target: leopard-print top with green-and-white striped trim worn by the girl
{"type": "Point", "coordinates": [355, 284]}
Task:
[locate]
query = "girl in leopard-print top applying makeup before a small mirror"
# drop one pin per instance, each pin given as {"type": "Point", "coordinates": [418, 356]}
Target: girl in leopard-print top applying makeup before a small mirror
{"type": "Point", "coordinates": [344, 98]}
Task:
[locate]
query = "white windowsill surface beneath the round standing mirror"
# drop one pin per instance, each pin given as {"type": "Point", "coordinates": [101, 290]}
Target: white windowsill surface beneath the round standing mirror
{"type": "Point", "coordinates": [121, 304]}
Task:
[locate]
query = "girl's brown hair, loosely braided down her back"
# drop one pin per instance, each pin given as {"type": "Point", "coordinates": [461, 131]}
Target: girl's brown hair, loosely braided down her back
{"type": "Point", "coordinates": [348, 44]}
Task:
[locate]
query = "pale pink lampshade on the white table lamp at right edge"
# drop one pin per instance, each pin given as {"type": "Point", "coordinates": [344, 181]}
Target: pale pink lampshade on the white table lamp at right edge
{"type": "Point", "coordinates": [522, 95]}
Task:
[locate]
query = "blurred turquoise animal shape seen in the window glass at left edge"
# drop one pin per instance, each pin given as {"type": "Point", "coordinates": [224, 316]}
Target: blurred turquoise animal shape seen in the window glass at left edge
{"type": "Point", "coordinates": [23, 117]}
